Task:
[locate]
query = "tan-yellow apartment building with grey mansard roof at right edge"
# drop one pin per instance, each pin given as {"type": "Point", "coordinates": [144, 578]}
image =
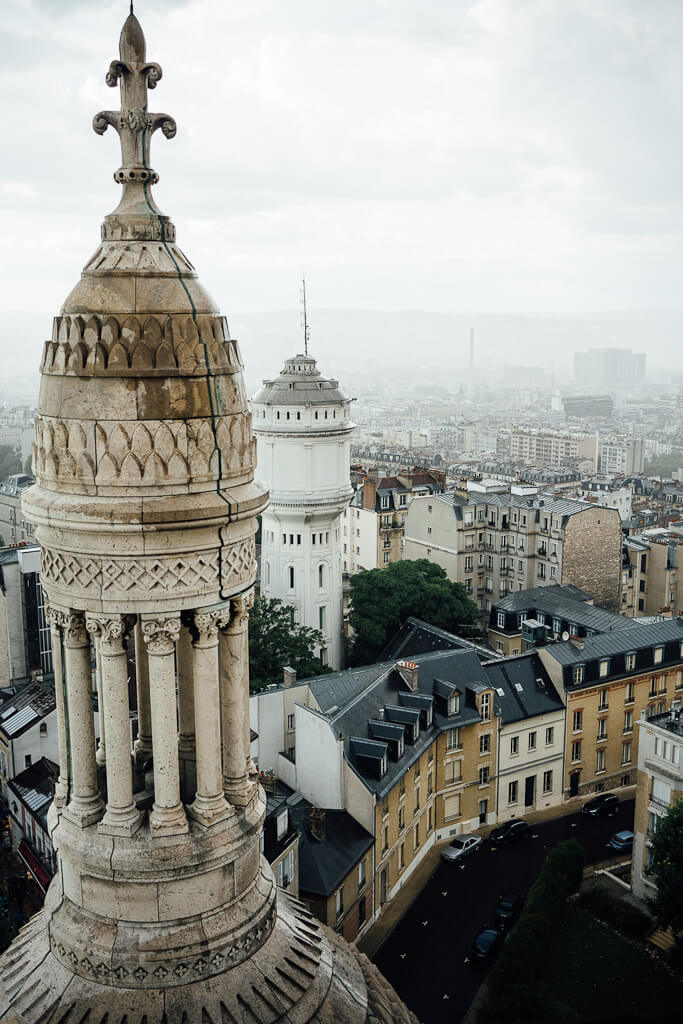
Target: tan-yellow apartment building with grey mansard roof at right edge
{"type": "Point", "coordinates": [608, 682]}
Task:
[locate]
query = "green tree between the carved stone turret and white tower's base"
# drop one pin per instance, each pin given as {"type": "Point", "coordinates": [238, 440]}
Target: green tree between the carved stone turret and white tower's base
{"type": "Point", "coordinates": [276, 641]}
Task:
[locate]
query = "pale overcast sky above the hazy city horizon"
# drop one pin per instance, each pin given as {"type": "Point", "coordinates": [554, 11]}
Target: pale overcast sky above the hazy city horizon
{"type": "Point", "coordinates": [495, 156]}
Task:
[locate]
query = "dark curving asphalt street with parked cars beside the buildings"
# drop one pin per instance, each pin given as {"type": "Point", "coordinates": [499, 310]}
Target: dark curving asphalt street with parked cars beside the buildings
{"type": "Point", "coordinates": [425, 957]}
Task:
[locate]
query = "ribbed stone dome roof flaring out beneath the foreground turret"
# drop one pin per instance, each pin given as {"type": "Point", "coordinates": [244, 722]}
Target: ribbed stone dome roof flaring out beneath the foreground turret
{"type": "Point", "coordinates": [304, 972]}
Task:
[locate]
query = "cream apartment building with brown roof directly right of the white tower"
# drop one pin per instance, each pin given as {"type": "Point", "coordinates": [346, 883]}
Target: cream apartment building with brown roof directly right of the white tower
{"type": "Point", "coordinates": [374, 522]}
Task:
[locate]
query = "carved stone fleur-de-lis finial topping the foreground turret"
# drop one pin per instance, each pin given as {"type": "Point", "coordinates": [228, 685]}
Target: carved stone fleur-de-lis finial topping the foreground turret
{"type": "Point", "coordinates": [134, 123]}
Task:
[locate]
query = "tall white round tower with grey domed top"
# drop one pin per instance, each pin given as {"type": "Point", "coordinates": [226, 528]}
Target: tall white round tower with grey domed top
{"type": "Point", "coordinates": [303, 421]}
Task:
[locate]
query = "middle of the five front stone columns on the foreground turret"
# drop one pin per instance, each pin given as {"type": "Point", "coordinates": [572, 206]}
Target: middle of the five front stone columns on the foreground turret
{"type": "Point", "coordinates": [168, 816]}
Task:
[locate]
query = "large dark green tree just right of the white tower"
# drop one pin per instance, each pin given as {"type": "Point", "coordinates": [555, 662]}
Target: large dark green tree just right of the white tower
{"type": "Point", "coordinates": [382, 600]}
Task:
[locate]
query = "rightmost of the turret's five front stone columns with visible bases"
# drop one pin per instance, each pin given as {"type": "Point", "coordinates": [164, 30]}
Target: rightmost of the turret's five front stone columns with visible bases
{"type": "Point", "coordinates": [234, 703]}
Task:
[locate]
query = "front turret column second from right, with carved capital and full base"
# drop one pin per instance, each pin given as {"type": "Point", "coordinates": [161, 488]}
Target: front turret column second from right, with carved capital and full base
{"type": "Point", "coordinates": [209, 805]}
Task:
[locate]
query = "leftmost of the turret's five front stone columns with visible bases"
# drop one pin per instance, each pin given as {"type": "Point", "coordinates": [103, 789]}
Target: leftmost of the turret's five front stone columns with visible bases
{"type": "Point", "coordinates": [86, 805]}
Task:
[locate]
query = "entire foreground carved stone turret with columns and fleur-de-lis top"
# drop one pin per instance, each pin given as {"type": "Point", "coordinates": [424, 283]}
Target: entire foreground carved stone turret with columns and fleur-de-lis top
{"type": "Point", "coordinates": [162, 910]}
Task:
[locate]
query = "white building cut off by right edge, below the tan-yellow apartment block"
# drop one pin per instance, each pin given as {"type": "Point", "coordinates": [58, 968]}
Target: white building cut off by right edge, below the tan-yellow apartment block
{"type": "Point", "coordinates": [660, 784]}
